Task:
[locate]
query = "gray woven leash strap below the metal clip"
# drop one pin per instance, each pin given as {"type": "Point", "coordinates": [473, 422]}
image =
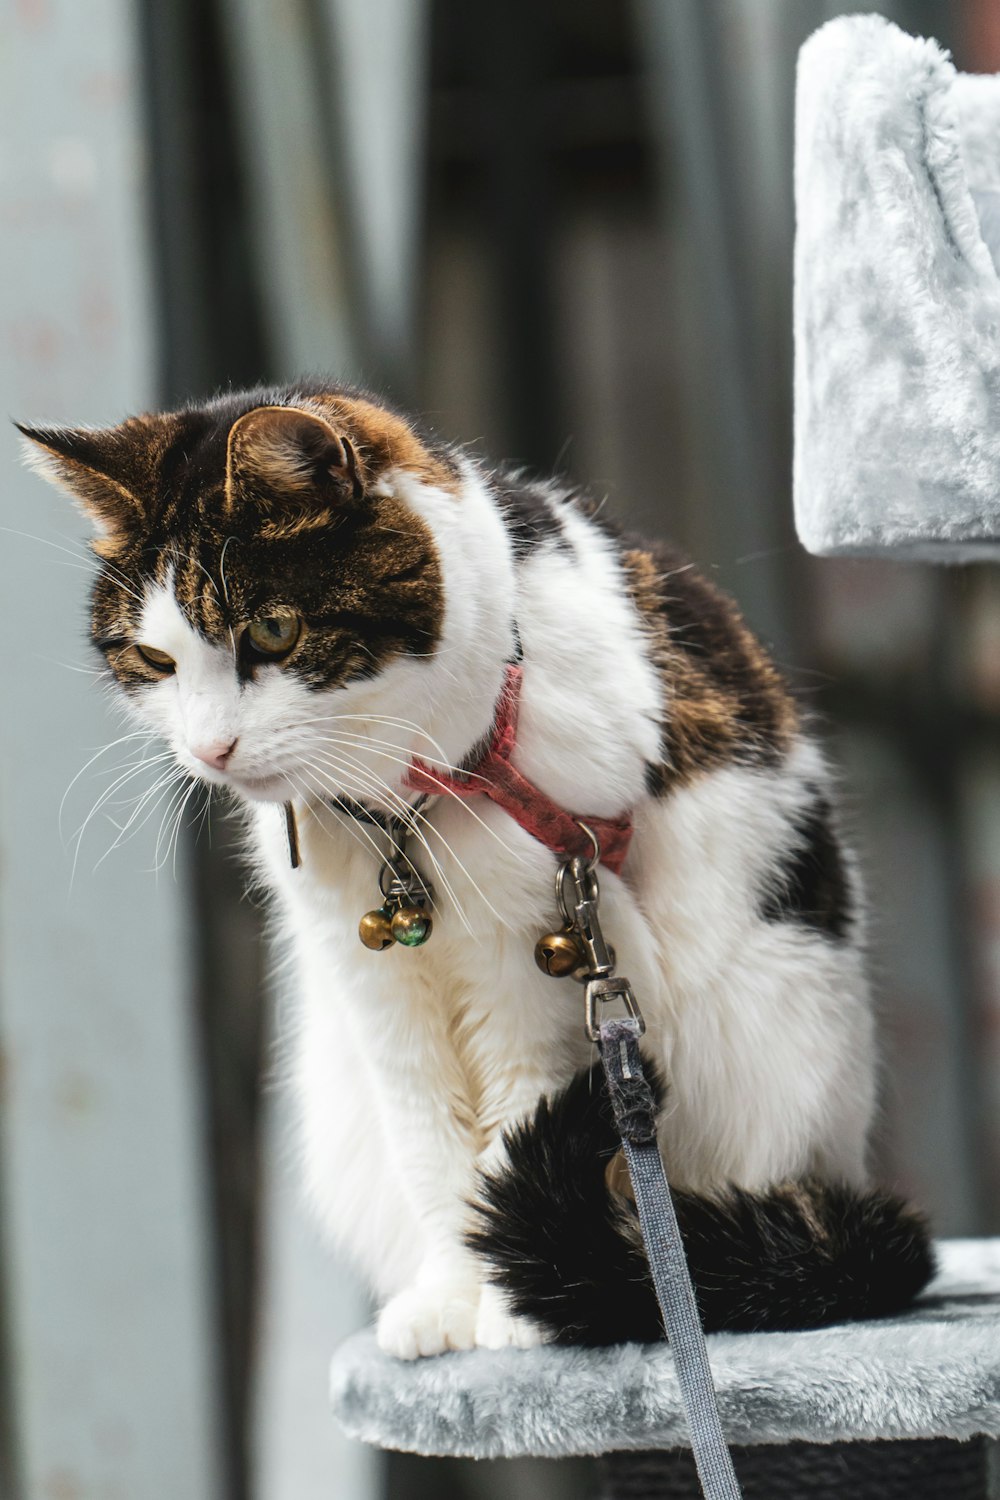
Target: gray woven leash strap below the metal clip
{"type": "Point", "coordinates": [635, 1115]}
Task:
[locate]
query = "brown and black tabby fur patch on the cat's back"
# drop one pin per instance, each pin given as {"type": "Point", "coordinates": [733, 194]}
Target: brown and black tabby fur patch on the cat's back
{"type": "Point", "coordinates": [723, 698]}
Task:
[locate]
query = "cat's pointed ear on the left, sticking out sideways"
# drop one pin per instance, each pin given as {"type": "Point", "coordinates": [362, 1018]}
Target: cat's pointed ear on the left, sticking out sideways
{"type": "Point", "coordinates": [106, 470]}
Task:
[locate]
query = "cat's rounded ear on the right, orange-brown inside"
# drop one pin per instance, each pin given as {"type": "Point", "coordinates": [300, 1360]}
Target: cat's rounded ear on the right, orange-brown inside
{"type": "Point", "coordinates": [283, 452]}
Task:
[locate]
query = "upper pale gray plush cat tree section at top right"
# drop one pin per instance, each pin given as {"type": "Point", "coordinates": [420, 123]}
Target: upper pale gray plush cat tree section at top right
{"type": "Point", "coordinates": [897, 299]}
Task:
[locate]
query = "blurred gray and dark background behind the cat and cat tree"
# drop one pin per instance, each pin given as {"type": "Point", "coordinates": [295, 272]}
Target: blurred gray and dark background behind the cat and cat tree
{"type": "Point", "coordinates": [563, 232]}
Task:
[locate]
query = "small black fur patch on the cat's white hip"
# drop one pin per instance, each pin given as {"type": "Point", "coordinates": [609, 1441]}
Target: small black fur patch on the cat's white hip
{"type": "Point", "coordinates": [812, 886]}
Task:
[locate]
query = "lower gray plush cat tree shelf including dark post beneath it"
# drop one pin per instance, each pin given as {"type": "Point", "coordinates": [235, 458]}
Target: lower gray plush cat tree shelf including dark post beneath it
{"type": "Point", "coordinates": [909, 1405]}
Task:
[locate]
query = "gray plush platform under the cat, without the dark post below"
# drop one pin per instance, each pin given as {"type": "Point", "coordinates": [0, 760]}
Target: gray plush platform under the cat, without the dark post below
{"type": "Point", "coordinates": [932, 1373]}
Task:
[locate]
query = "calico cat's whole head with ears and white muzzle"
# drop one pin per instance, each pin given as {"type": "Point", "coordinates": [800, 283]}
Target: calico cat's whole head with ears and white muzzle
{"type": "Point", "coordinates": [263, 578]}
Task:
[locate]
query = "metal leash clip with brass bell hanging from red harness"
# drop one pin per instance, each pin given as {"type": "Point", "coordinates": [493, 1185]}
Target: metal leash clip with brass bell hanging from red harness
{"type": "Point", "coordinates": [581, 949]}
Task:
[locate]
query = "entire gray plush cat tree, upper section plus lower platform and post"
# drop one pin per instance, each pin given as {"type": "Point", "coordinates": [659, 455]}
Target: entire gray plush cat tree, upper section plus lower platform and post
{"type": "Point", "coordinates": [897, 392]}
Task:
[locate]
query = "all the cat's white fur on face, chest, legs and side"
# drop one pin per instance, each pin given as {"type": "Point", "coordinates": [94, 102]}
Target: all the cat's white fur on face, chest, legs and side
{"type": "Point", "coordinates": [409, 1064]}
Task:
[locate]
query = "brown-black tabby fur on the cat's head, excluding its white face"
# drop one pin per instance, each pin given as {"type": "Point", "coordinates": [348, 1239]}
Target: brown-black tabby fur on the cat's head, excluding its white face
{"type": "Point", "coordinates": [359, 568]}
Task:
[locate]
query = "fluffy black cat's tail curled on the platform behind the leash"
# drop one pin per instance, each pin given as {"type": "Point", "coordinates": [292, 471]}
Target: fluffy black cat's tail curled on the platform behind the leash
{"type": "Point", "coordinates": [566, 1249]}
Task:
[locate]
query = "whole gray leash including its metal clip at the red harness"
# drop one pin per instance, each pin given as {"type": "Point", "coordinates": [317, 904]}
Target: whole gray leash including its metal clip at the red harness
{"type": "Point", "coordinates": [636, 1120]}
